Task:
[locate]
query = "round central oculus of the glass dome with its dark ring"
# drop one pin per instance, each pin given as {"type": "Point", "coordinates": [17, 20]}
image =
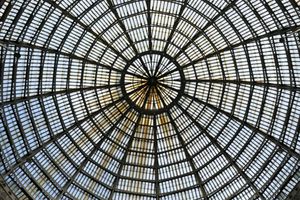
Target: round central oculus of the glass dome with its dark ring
{"type": "Point", "coordinates": [152, 82]}
